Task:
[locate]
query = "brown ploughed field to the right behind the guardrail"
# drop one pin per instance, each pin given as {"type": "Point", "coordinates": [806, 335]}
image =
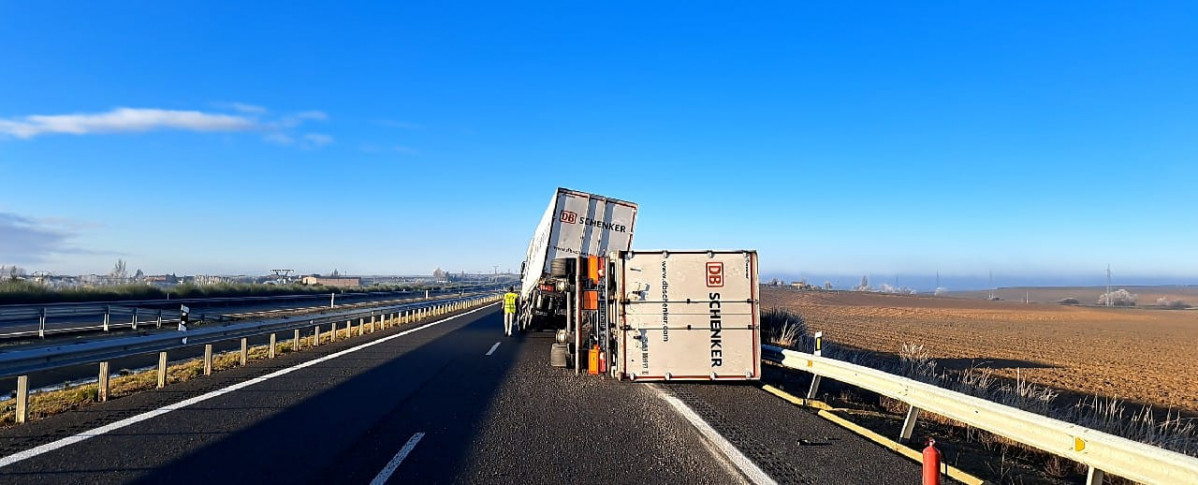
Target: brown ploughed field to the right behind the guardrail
{"type": "Point", "coordinates": [1146, 356]}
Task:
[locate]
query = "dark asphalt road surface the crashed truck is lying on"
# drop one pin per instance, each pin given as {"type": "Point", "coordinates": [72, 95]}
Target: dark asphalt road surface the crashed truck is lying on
{"type": "Point", "coordinates": [441, 404]}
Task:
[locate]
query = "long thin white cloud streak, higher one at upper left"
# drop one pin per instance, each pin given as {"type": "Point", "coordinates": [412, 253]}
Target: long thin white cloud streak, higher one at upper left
{"type": "Point", "coordinates": [125, 120]}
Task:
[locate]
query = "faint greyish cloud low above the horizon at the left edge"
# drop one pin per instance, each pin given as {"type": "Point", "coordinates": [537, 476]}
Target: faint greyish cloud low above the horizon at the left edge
{"type": "Point", "coordinates": [31, 241]}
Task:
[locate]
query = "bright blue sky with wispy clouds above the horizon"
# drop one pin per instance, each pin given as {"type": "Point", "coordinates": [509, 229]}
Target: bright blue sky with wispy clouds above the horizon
{"type": "Point", "coordinates": [1031, 140]}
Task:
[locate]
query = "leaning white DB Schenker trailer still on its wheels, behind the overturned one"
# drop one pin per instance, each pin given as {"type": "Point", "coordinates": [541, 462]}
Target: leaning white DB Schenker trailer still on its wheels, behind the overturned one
{"type": "Point", "coordinates": [576, 225]}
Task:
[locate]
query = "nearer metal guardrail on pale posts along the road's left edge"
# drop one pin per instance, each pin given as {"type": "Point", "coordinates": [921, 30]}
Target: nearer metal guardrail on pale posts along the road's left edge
{"type": "Point", "coordinates": [28, 361]}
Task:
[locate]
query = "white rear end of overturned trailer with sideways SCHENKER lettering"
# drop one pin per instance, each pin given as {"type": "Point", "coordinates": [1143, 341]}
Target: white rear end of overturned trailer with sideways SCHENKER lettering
{"type": "Point", "coordinates": [688, 316]}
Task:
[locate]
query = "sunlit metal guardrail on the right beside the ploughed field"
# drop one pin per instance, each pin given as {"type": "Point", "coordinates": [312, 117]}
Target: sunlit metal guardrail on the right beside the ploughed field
{"type": "Point", "coordinates": [1099, 451]}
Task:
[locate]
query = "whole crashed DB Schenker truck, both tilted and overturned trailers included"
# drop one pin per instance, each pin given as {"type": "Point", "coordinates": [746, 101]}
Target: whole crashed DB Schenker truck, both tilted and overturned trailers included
{"type": "Point", "coordinates": [639, 316]}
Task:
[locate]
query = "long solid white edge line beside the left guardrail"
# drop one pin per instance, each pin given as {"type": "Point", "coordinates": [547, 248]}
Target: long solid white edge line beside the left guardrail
{"type": "Point", "coordinates": [92, 434]}
